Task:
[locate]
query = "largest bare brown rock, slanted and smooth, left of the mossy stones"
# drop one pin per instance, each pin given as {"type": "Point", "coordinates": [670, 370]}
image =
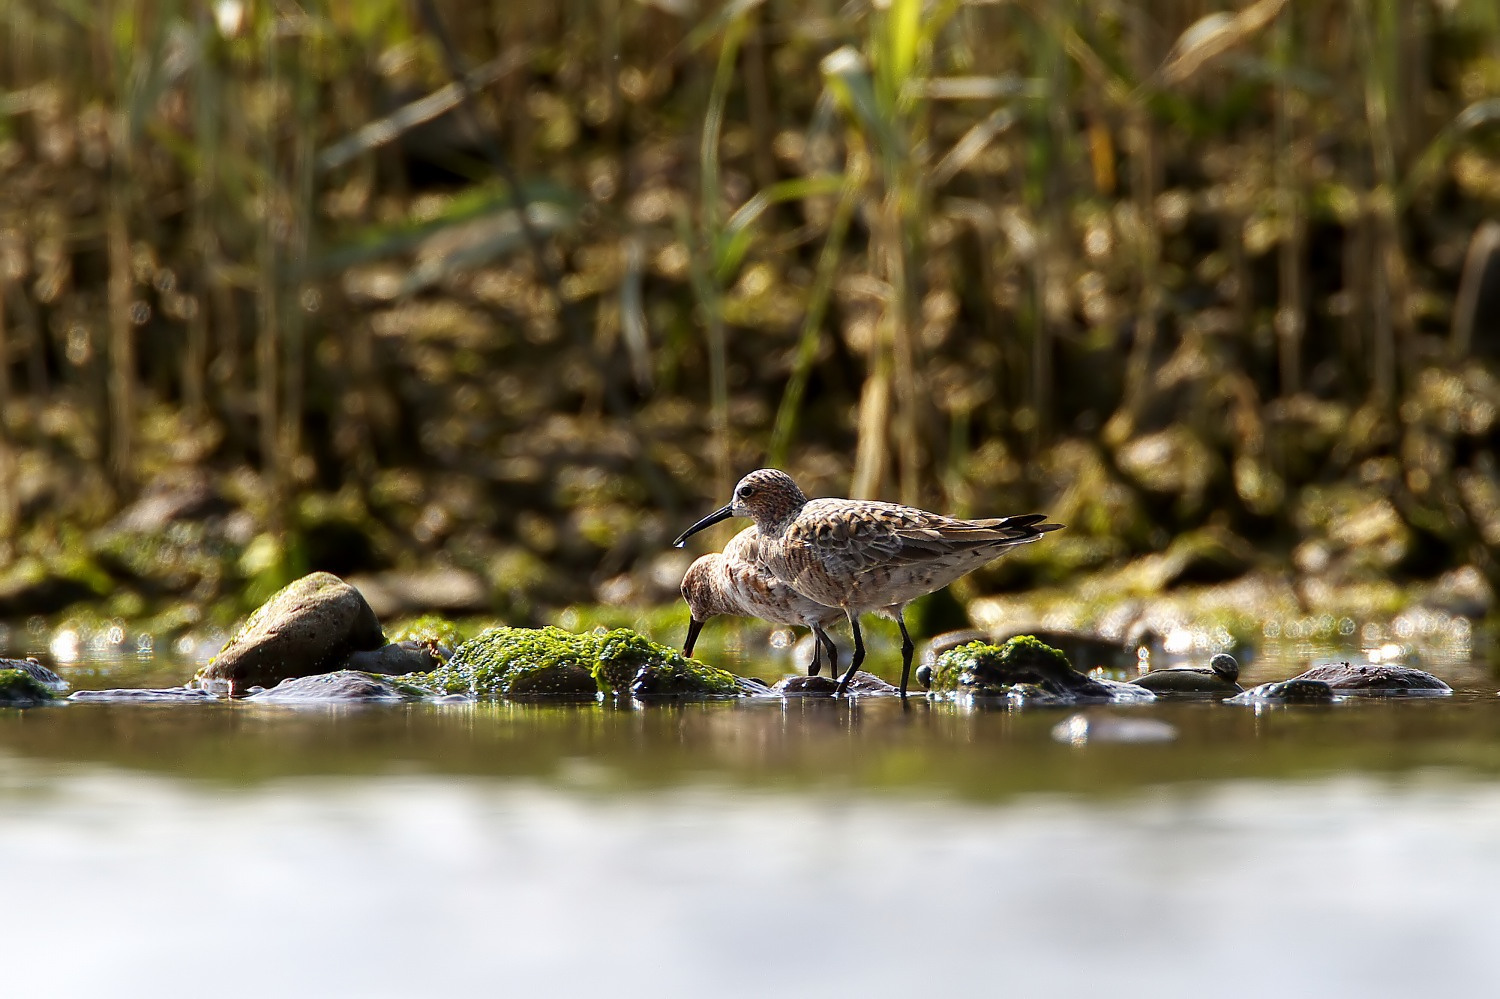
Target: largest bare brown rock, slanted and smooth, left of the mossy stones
{"type": "Point", "coordinates": [305, 629]}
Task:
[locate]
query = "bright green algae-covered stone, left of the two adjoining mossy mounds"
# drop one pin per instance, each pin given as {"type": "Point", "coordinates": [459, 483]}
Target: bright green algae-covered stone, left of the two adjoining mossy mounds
{"type": "Point", "coordinates": [511, 662]}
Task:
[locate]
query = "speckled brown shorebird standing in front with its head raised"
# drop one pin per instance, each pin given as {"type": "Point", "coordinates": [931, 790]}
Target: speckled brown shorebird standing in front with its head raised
{"type": "Point", "coordinates": [860, 556]}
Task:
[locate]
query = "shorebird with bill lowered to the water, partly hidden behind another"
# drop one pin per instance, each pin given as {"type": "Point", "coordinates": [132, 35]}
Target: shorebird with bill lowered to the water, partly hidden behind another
{"type": "Point", "coordinates": [736, 583]}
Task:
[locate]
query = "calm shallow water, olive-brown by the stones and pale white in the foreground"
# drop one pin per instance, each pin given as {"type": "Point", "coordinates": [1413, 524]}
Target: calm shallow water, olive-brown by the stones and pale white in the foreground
{"type": "Point", "coordinates": [791, 848]}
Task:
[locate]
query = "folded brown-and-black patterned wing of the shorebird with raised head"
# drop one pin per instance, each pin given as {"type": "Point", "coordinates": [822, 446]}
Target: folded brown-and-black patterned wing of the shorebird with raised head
{"type": "Point", "coordinates": [863, 536]}
